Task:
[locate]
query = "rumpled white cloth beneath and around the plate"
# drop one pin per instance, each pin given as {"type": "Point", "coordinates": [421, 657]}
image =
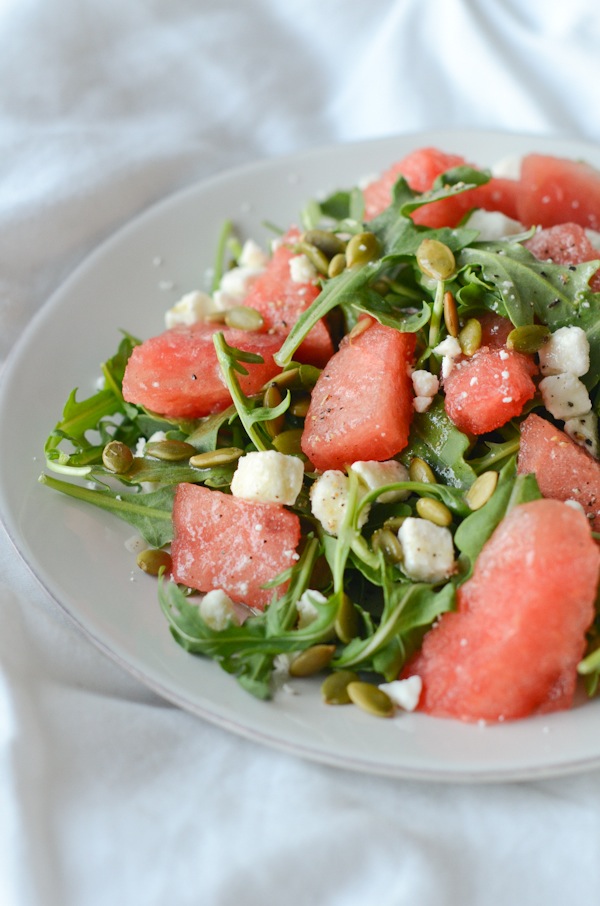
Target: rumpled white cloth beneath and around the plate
{"type": "Point", "coordinates": [109, 795]}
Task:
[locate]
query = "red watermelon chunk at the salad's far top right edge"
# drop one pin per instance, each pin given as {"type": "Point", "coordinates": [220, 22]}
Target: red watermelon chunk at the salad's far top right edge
{"type": "Point", "coordinates": [556, 190]}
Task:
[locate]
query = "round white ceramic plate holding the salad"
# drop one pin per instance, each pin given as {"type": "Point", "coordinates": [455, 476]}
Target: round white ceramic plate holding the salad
{"type": "Point", "coordinates": [78, 553]}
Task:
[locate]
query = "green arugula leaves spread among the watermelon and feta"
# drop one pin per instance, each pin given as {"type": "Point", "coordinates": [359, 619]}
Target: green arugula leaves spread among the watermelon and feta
{"type": "Point", "coordinates": [369, 613]}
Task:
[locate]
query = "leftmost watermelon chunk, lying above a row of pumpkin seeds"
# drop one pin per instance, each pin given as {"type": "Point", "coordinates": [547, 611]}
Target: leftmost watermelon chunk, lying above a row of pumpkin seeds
{"type": "Point", "coordinates": [177, 374]}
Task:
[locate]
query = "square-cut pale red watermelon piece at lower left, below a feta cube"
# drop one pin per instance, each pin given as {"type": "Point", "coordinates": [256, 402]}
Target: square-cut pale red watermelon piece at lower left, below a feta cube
{"type": "Point", "coordinates": [237, 545]}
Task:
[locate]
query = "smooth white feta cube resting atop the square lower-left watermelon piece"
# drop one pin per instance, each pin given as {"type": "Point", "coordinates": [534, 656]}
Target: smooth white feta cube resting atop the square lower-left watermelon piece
{"type": "Point", "coordinates": [267, 476]}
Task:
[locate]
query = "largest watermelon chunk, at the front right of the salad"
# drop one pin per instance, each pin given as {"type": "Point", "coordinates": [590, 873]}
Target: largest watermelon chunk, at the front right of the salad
{"type": "Point", "coordinates": [512, 647]}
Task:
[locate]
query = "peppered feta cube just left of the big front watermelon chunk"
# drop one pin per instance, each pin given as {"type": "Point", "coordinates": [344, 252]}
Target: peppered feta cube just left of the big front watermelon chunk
{"type": "Point", "coordinates": [428, 550]}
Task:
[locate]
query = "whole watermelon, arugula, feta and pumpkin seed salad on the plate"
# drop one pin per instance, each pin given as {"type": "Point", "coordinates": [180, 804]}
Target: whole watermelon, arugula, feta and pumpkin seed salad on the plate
{"type": "Point", "coordinates": [370, 452]}
